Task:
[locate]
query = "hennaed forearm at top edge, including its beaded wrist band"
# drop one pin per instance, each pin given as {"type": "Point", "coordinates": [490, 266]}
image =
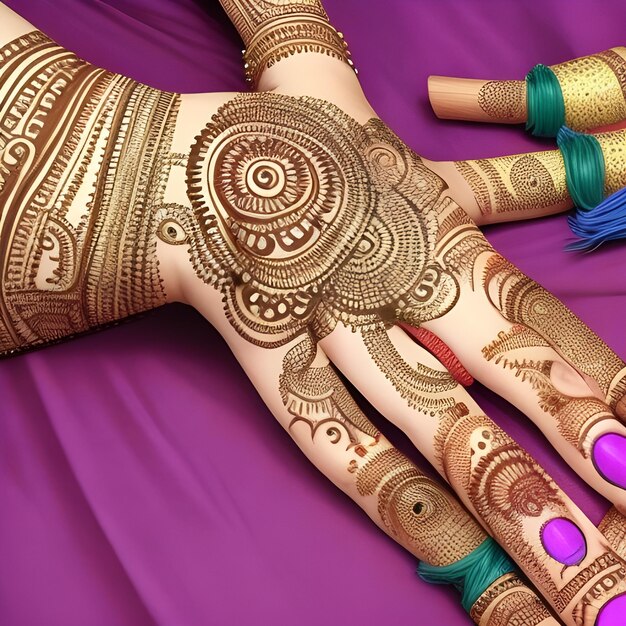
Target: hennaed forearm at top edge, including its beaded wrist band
{"type": "Point", "coordinates": [276, 29]}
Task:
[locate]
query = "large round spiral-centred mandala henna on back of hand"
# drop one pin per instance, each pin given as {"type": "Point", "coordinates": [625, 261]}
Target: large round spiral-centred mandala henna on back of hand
{"type": "Point", "coordinates": [280, 189]}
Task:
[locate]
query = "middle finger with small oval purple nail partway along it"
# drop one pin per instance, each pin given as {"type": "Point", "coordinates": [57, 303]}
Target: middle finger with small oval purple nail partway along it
{"type": "Point", "coordinates": [501, 484]}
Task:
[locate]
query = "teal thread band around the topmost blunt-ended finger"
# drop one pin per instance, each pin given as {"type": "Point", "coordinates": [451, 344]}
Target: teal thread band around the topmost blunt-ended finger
{"type": "Point", "coordinates": [544, 102]}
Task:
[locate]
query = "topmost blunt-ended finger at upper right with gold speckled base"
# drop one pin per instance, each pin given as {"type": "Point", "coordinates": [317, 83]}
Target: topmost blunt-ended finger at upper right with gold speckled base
{"type": "Point", "coordinates": [592, 89]}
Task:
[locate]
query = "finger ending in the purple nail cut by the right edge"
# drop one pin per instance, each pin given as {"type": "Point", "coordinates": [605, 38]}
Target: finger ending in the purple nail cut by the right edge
{"type": "Point", "coordinates": [520, 365]}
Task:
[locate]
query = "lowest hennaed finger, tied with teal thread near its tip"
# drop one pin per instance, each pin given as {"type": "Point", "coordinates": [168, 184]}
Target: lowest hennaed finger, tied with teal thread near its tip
{"type": "Point", "coordinates": [309, 400]}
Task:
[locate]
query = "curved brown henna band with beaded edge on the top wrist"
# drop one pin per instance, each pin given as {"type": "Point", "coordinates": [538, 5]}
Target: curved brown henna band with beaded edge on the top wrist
{"type": "Point", "coordinates": [288, 35]}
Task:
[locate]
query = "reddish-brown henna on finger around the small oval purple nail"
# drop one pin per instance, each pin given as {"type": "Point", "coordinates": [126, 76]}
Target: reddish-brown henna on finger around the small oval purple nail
{"type": "Point", "coordinates": [515, 498]}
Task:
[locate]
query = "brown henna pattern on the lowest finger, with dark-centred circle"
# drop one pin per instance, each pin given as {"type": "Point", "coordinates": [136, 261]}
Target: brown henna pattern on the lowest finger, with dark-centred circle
{"type": "Point", "coordinates": [413, 509]}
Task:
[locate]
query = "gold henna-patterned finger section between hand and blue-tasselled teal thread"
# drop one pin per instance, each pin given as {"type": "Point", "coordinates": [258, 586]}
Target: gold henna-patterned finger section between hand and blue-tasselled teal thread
{"type": "Point", "coordinates": [516, 183]}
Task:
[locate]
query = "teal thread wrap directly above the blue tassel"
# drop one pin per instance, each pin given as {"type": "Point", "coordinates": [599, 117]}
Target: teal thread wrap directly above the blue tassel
{"type": "Point", "coordinates": [584, 167]}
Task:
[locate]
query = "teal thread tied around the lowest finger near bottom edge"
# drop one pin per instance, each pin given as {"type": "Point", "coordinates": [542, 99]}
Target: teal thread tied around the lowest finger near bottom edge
{"type": "Point", "coordinates": [472, 574]}
